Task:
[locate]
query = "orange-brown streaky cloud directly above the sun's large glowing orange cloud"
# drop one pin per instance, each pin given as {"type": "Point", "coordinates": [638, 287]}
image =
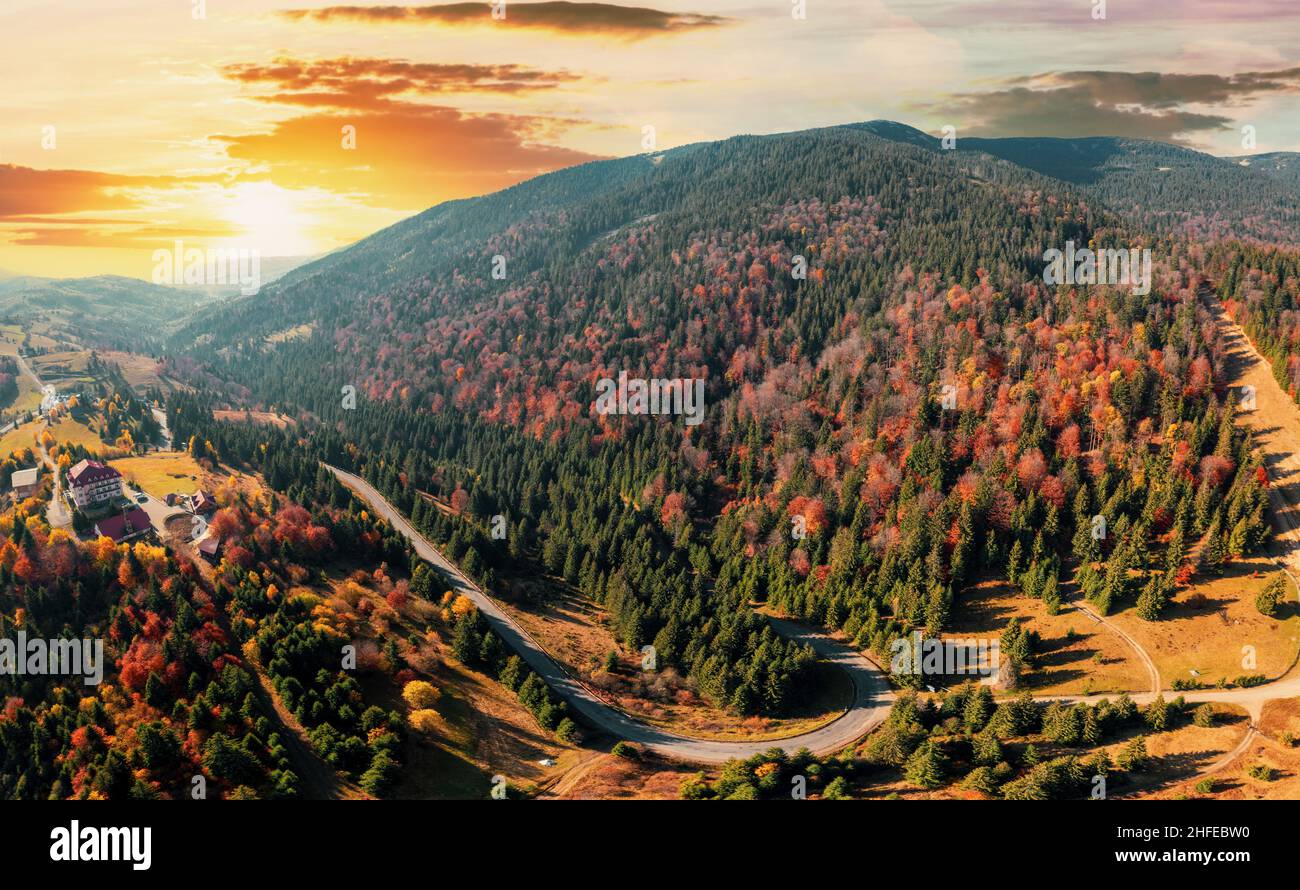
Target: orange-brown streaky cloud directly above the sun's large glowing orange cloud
{"type": "Point", "coordinates": [376, 84]}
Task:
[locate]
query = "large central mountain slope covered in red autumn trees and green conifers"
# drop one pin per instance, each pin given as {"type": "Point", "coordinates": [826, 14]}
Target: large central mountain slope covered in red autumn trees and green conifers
{"type": "Point", "coordinates": [831, 477]}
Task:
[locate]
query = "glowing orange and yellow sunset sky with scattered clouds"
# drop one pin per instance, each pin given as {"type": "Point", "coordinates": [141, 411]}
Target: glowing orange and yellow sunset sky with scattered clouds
{"type": "Point", "coordinates": [228, 131]}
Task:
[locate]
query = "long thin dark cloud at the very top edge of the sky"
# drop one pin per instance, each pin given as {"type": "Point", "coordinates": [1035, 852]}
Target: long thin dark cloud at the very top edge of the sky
{"type": "Point", "coordinates": [575, 19]}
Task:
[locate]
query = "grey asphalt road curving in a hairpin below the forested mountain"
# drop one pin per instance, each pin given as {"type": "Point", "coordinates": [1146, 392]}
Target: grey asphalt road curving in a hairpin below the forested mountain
{"type": "Point", "coordinates": [872, 693]}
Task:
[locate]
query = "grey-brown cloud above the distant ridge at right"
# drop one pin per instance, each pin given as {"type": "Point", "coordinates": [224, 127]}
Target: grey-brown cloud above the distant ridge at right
{"type": "Point", "coordinates": [1141, 105]}
